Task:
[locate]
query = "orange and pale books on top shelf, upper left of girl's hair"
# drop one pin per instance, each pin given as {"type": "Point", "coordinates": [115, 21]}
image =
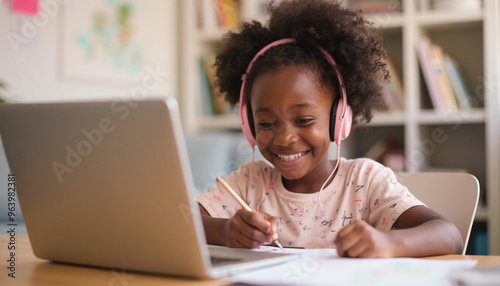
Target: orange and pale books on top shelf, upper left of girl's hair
{"type": "Point", "coordinates": [214, 14]}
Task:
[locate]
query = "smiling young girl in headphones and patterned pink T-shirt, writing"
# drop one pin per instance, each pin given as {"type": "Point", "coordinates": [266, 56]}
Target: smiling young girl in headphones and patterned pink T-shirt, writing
{"type": "Point", "coordinates": [299, 82]}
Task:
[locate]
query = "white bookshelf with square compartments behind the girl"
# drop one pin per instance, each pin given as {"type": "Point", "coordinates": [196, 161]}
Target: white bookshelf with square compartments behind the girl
{"type": "Point", "coordinates": [464, 139]}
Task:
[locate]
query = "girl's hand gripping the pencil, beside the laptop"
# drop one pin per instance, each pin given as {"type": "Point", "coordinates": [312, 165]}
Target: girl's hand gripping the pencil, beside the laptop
{"type": "Point", "coordinates": [246, 229]}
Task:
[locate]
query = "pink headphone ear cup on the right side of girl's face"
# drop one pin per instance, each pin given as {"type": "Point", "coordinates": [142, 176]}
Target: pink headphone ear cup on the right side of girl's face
{"type": "Point", "coordinates": [340, 120]}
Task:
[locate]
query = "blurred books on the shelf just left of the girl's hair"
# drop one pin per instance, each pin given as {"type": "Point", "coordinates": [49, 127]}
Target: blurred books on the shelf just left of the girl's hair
{"type": "Point", "coordinates": [213, 102]}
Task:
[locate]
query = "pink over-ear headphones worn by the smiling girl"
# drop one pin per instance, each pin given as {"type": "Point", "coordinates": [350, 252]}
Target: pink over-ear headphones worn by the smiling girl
{"type": "Point", "coordinates": [340, 118]}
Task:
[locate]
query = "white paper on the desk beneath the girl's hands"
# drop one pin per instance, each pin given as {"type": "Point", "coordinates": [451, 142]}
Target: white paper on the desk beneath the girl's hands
{"type": "Point", "coordinates": [325, 267]}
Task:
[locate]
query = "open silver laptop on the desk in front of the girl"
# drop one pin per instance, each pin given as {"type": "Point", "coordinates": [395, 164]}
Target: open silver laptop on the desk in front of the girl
{"type": "Point", "coordinates": [108, 184]}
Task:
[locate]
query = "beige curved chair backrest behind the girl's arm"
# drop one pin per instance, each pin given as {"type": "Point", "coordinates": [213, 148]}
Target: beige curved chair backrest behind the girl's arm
{"type": "Point", "coordinates": [453, 195]}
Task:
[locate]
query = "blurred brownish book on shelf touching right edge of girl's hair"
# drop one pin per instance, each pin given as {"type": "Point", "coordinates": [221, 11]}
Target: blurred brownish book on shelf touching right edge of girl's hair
{"type": "Point", "coordinates": [393, 98]}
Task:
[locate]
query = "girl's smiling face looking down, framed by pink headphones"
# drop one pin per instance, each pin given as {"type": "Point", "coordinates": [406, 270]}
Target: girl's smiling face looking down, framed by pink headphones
{"type": "Point", "coordinates": [291, 113]}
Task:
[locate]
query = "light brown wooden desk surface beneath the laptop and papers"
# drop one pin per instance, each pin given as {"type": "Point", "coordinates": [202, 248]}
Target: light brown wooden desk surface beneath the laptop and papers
{"type": "Point", "coordinates": [31, 270]}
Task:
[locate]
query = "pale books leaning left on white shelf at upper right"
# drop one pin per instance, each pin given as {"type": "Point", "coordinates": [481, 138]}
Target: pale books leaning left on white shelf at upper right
{"type": "Point", "coordinates": [447, 89]}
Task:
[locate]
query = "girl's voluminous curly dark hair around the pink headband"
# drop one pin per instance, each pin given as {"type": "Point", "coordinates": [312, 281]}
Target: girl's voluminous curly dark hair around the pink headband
{"type": "Point", "coordinates": [352, 41]}
